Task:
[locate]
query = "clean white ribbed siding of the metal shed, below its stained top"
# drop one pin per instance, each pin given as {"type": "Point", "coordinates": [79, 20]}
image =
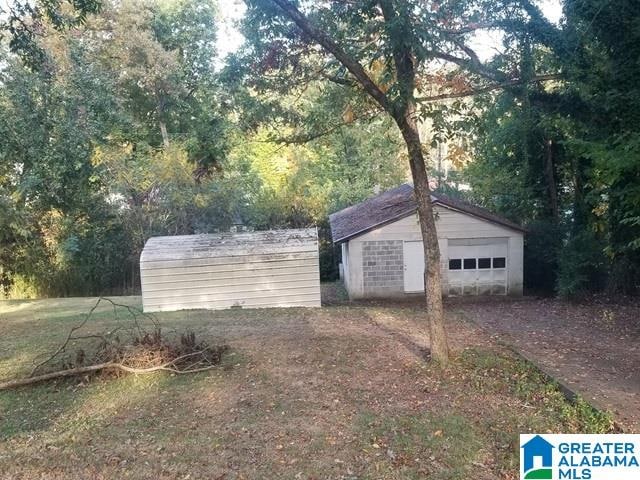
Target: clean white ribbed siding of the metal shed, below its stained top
{"type": "Point", "coordinates": [237, 279]}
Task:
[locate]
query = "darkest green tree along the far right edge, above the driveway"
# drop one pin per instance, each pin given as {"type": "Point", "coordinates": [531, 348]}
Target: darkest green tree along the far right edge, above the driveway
{"type": "Point", "coordinates": [603, 71]}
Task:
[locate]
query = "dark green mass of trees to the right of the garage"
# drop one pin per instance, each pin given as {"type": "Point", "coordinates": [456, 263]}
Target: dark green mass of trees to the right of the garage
{"type": "Point", "coordinates": [562, 157]}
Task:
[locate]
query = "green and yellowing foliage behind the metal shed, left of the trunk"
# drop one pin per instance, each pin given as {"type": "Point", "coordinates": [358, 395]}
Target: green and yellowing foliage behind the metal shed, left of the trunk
{"type": "Point", "coordinates": [130, 133]}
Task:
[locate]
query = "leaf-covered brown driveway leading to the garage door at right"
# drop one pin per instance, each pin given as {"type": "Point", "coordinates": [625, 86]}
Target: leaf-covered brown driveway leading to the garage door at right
{"type": "Point", "coordinates": [594, 349]}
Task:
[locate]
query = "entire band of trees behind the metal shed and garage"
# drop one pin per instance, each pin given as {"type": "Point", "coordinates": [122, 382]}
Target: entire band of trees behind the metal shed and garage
{"type": "Point", "coordinates": [119, 122]}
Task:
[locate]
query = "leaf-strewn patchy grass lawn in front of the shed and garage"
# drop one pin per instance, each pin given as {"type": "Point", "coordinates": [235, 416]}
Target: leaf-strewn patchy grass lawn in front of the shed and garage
{"type": "Point", "coordinates": [341, 392]}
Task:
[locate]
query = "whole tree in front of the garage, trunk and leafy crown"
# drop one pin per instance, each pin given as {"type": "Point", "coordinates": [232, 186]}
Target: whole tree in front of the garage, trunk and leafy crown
{"type": "Point", "coordinates": [384, 49]}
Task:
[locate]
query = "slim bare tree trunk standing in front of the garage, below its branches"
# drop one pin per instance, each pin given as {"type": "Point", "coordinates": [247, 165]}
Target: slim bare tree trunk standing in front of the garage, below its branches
{"type": "Point", "coordinates": [432, 278]}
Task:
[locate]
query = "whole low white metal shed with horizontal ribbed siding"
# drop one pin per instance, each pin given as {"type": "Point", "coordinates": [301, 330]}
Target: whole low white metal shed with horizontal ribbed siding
{"type": "Point", "coordinates": [276, 268]}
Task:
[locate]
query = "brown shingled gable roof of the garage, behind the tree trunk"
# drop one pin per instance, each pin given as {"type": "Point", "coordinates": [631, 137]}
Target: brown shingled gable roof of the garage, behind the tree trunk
{"type": "Point", "coordinates": [395, 204]}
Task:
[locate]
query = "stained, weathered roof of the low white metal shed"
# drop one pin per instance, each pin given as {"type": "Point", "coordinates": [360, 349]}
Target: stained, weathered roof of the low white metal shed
{"type": "Point", "coordinates": [229, 244]}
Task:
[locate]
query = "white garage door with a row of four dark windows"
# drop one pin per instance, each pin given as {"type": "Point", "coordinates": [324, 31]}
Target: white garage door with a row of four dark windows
{"type": "Point", "coordinates": [477, 266]}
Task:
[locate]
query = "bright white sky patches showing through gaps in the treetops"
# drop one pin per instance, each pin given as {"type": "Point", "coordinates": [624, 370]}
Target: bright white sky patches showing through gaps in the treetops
{"type": "Point", "coordinates": [486, 43]}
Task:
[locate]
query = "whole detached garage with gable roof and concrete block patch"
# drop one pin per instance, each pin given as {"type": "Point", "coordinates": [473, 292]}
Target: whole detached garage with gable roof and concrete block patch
{"type": "Point", "coordinates": [382, 253]}
